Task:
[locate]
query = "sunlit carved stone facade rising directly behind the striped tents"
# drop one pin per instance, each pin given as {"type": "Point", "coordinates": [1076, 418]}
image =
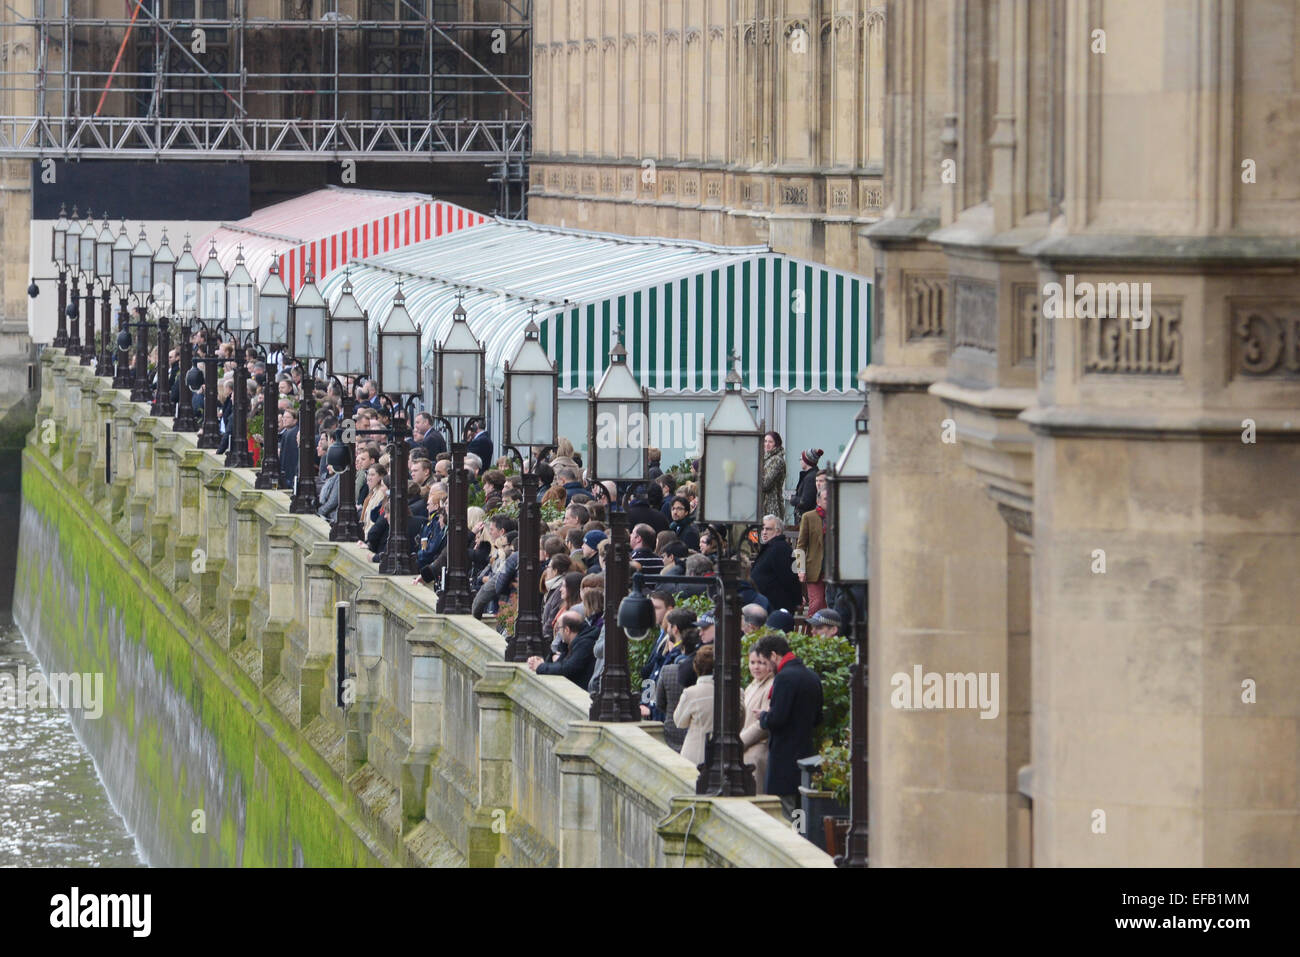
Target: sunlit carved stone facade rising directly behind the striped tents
{"type": "Point", "coordinates": [762, 122]}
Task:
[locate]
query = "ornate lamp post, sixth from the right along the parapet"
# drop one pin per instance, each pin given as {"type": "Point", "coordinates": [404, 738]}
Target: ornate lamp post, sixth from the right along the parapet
{"type": "Point", "coordinates": [400, 379]}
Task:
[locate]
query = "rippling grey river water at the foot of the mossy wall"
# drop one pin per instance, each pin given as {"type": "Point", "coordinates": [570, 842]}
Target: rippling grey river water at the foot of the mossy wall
{"type": "Point", "coordinates": [54, 808]}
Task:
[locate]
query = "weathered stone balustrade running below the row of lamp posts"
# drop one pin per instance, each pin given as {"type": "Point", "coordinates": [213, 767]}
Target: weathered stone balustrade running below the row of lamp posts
{"type": "Point", "coordinates": [447, 754]}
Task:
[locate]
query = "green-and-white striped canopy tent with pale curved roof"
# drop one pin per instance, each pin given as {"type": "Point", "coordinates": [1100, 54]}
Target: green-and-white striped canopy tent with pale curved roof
{"type": "Point", "coordinates": [684, 306]}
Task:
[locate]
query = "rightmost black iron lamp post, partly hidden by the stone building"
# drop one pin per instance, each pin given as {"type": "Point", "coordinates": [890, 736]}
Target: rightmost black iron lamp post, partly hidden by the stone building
{"type": "Point", "coordinates": [850, 553]}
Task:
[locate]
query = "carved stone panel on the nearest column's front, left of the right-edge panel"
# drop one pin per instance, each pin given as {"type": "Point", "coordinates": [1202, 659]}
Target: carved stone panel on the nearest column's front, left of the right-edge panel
{"type": "Point", "coordinates": [1115, 348]}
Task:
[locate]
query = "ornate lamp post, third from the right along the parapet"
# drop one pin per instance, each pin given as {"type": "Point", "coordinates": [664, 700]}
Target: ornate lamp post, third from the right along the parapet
{"type": "Point", "coordinates": [618, 415]}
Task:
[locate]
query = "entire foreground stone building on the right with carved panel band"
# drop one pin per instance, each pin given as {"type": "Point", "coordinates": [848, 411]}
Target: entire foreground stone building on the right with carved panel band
{"type": "Point", "coordinates": [1097, 534]}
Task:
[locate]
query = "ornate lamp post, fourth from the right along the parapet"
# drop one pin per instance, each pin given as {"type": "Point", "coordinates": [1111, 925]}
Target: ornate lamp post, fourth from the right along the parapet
{"type": "Point", "coordinates": [532, 413]}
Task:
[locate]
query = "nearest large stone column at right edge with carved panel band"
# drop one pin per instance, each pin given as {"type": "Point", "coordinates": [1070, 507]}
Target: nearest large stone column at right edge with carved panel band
{"type": "Point", "coordinates": [1167, 534]}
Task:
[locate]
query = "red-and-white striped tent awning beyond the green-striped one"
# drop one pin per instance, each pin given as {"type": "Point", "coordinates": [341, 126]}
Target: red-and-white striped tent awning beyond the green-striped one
{"type": "Point", "coordinates": [330, 228]}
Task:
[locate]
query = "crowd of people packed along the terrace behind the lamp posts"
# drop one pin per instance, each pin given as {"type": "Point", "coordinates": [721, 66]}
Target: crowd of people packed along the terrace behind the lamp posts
{"type": "Point", "coordinates": [783, 574]}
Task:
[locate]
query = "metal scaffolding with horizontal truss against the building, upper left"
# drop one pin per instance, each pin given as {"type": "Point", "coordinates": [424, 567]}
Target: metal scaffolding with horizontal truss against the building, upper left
{"type": "Point", "coordinates": [411, 81]}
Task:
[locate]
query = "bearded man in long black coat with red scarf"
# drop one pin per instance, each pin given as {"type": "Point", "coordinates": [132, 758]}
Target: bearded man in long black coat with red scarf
{"type": "Point", "coordinates": [794, 711]}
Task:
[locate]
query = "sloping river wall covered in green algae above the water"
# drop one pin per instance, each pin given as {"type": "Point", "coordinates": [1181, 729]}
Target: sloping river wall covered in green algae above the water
{"type": "Point", "coordinates": [184, 730]}
